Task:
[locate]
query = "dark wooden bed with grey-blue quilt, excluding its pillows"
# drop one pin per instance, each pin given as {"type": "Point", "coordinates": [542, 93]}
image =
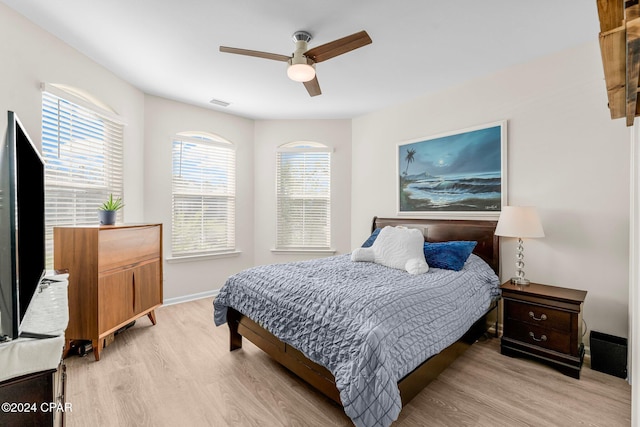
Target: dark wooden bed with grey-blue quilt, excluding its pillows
{"type": "Point", "coordinates": [373, 368]}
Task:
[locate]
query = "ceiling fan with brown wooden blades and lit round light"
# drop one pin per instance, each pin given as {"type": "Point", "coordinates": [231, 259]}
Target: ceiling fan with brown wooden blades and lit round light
{"type": "Point", "coordinates": [303, 60]}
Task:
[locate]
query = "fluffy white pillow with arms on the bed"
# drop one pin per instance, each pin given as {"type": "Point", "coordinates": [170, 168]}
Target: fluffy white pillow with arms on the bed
{"type": "Point", "coordinates": [396, 247]}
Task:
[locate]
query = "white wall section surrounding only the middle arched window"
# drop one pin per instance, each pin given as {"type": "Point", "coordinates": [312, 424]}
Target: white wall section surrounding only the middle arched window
{"type": "Point", "coordinates": [163, 120]}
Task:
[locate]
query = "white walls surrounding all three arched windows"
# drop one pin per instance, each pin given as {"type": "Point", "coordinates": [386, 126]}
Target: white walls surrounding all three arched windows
{"type": "Point", "coordinates": [36, 56]}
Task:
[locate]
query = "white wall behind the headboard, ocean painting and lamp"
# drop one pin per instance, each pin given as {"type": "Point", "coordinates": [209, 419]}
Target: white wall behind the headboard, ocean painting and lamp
{"type": "Point", "coordinates": [565, 156]}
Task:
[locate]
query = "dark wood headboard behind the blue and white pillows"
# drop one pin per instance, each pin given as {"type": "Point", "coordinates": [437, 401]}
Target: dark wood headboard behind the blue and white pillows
{"type": "Point", "coordinates": [443, 230]}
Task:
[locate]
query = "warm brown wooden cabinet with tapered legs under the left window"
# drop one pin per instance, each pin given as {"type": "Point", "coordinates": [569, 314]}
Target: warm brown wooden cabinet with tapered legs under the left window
{"type": "Point", "coordinates": [115, 277]}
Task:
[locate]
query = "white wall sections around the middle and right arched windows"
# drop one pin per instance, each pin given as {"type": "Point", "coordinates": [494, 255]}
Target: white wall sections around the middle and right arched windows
{"type": "Point", "coordinates": [256, 143]}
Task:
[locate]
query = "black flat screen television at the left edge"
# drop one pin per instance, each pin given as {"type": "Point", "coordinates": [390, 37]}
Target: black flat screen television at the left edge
{"type": "Point", "coordinates": [22, 228]}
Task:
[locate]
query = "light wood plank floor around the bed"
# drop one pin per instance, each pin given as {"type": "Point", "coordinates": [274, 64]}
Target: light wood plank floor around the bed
{"type": "Point", "coordinates": [180, 373]}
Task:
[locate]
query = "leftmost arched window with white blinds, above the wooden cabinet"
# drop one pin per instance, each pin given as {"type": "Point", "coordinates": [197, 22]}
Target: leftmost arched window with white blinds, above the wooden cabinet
{"type": "Point", "coordinates": [83, 151]}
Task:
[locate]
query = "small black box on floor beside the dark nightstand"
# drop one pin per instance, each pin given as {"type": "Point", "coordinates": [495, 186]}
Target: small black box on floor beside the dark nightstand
{"type": "Point", "coordinates": [608, 354]}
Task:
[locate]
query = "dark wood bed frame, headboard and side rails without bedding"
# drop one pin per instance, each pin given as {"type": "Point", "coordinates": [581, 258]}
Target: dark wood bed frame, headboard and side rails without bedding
{"type": "Point", "coordinates": [434, 230]}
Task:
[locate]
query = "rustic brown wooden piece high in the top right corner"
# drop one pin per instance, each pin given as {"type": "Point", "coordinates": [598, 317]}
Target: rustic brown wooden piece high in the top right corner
{"type": "Point", "coordinates": [620, 49]}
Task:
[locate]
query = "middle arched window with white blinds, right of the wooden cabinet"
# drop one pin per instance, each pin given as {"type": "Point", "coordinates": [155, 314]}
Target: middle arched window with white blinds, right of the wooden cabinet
{"type": "Point", "coordinates": [203, 195]}
